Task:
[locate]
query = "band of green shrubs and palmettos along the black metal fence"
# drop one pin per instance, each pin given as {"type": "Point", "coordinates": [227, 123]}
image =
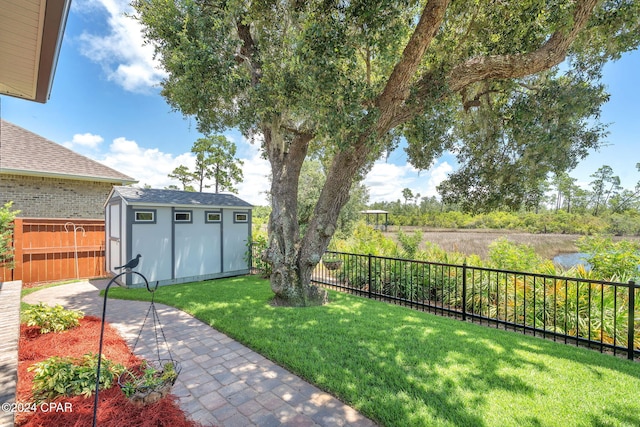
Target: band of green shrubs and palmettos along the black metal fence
{"type": "Point", "coordinates": [496, 289]}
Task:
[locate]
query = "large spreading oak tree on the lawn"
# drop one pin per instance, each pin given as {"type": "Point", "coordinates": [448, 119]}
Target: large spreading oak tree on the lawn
{"type": "Point", "coordinates": [347, 79]}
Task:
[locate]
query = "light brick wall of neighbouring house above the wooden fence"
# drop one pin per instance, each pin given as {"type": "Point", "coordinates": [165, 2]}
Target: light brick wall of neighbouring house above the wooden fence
{"type": "Point", "coordinates": [40, 197]}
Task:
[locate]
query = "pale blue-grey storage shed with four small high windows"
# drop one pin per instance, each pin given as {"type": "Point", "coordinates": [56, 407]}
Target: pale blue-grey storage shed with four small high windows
{"type": "Point", "coordinates": [182, 236]}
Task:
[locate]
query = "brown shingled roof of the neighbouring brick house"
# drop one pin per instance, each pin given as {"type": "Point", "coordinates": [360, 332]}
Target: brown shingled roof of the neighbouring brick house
{"type": "Point", "coordinates": [25, 153]}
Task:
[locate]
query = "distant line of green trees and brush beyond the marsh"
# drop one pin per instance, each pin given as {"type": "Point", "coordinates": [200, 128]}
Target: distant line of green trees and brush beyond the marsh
{"type": "Point", "coordinates": [564, 207]}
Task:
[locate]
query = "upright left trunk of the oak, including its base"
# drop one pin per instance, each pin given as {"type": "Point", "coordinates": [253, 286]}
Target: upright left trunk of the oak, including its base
{"type": "Point", "coordinates": [290, 279]}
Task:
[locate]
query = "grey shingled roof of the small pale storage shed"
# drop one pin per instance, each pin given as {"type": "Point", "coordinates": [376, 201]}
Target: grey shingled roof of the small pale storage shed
{"type": "Point", "coordinates": [158, 197]}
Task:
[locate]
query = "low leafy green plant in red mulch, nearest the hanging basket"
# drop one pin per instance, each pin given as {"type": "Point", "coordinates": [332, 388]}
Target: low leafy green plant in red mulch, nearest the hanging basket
{"type": "Point", "coordinates": [69, 376]}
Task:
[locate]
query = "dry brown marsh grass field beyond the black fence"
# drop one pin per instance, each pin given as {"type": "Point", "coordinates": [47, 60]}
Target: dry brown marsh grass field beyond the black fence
{"type": "Point", "coordinates": [477, 241]}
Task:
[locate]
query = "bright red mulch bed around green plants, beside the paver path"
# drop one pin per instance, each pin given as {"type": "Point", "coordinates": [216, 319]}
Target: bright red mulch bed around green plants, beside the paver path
{"type": "Point", "coordinates": [114, 409]}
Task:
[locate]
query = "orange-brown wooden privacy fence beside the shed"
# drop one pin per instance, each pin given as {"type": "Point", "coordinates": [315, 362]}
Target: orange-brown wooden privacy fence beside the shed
{"type": "Point", "coordinates": [47, 250]}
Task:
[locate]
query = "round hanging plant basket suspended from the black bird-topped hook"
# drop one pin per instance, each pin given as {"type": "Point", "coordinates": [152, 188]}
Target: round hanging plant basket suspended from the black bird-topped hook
{"type": "Point", "coordinates": [150, 381]}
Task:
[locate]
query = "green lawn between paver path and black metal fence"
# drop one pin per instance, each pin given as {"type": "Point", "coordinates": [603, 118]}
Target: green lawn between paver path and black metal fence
{"type": "Point", "coordinates": [406, 368]}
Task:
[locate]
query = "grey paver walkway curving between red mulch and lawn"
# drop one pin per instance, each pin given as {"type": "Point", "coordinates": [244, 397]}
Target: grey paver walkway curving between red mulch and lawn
{"type": "Point", "coordinates": [222, 382]}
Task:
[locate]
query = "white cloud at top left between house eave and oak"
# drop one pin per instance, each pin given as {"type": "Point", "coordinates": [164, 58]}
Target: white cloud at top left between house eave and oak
{"type": "Point", "coordinates": [121, 52]}
